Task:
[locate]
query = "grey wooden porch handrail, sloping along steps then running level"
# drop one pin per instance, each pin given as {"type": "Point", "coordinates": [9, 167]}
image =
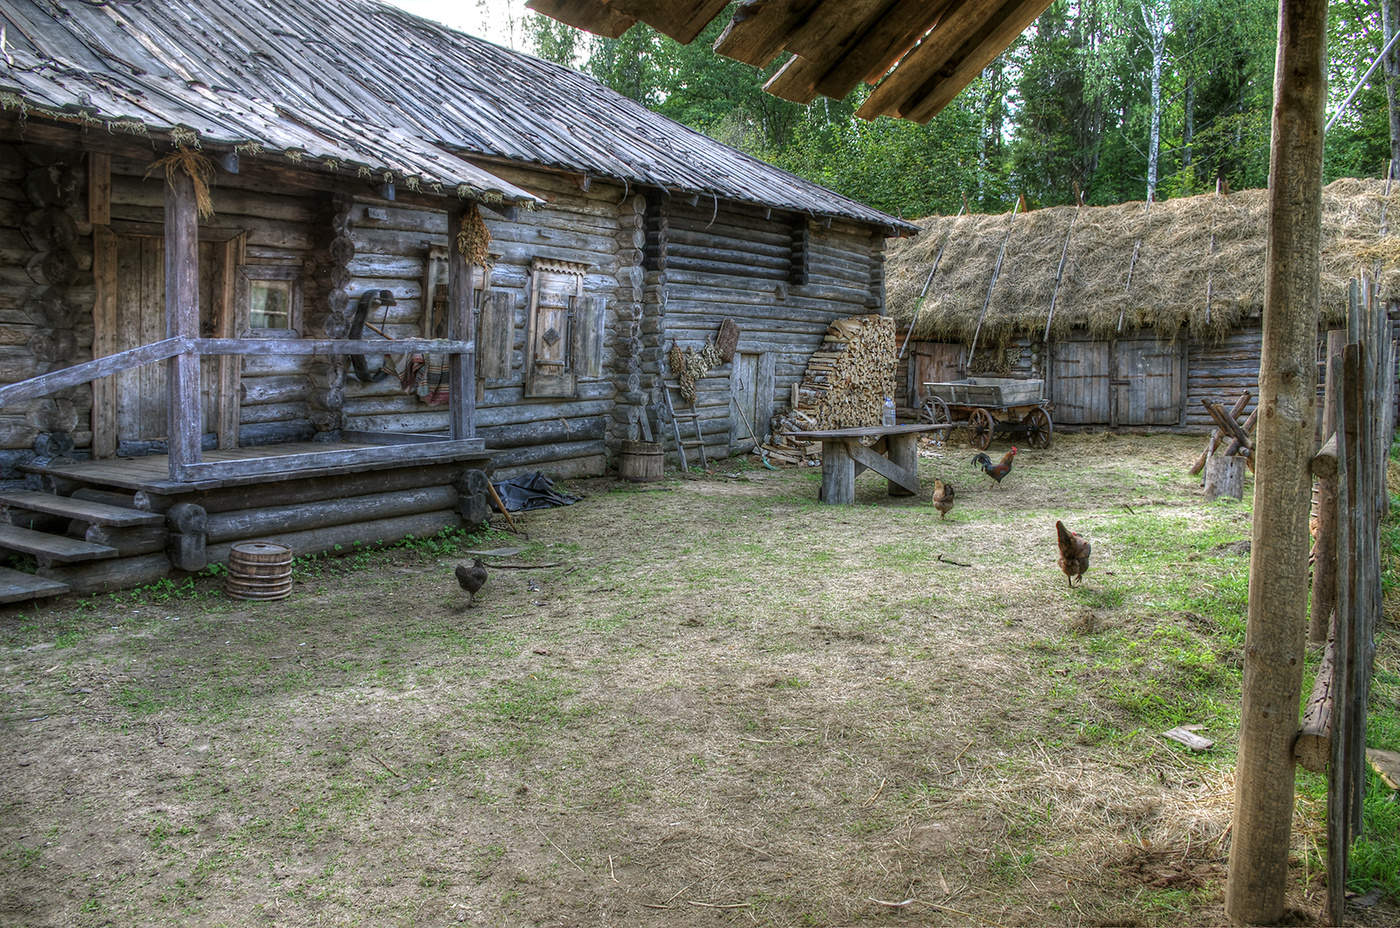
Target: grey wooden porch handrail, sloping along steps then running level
{"type": "Point", "coordinates": [167, 349]}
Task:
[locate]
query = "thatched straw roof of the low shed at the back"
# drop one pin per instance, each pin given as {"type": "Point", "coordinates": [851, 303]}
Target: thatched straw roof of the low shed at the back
{"type": "Point", "coordinates": [1171, 276]}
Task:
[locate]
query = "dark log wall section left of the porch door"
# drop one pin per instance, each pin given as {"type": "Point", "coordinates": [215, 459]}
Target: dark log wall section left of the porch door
{"type": "Point", "coordinates": [45, 306]}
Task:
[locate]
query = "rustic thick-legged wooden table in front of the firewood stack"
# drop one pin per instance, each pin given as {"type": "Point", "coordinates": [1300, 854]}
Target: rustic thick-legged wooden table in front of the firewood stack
{"type": "Point", "coordinates": [894, 456]}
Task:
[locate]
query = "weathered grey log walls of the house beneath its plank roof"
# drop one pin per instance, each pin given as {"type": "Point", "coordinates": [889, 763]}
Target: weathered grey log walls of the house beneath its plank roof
{"type": "Point", "coordinates": [782, 278]}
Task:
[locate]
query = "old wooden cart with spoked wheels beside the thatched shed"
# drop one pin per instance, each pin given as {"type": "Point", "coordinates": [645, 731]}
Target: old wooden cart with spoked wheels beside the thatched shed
{"type": "Point", "coordinates": [990, 407]}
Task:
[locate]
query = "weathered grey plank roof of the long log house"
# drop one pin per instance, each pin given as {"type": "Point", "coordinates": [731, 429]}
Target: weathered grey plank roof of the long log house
{"type": "Point", "coordinates": [366, 87]}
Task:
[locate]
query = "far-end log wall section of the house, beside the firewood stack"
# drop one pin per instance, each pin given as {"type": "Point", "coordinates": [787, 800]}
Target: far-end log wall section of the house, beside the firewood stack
{"type": "Point", "coordinates": [734, 262]}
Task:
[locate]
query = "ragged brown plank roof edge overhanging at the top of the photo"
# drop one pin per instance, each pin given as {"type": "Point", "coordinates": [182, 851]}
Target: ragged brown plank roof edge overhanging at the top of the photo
{"type": "Point", "coordinates": [918, 54]}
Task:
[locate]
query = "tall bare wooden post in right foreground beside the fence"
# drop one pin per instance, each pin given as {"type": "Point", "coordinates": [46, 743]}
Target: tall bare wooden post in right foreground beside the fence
{"type": "Point", "coordinates": [1283, 485]}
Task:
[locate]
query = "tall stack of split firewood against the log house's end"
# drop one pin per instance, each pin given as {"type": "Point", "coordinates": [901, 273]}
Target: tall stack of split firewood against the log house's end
{"type": "Point", "coordinates": [846, 383]}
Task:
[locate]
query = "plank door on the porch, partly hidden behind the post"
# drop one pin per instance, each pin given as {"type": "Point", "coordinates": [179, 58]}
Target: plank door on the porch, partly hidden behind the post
{"type": "Point", "coordinates": [142, 394]}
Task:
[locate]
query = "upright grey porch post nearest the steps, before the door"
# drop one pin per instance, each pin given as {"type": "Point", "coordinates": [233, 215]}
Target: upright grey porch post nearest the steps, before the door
{"type": "Point", "coordinates": [183, 320]}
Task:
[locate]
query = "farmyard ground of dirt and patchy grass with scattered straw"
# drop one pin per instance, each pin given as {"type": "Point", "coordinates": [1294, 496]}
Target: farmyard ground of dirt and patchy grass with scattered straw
{"type": "Point", "coordinates": [713, 702]}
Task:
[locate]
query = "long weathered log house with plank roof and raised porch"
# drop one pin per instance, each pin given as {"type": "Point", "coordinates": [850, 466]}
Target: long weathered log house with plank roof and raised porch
{"type": "Point", "coordinates": [317, 360]}
